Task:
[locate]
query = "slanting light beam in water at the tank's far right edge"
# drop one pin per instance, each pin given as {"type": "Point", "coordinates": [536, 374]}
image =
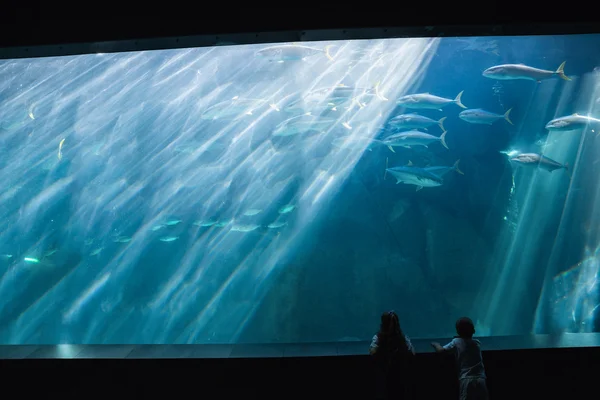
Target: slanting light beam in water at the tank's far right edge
{"type": "Point", "coordinates": [570, 299]}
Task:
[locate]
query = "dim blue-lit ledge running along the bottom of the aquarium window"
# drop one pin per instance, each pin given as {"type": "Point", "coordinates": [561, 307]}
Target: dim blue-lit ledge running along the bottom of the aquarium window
{"type": "Point", "coordinates": [277, 350]}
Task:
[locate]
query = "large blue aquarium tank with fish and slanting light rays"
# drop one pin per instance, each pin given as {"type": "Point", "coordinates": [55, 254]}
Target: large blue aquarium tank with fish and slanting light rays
{"type": "Point", "coordinates": [292, 192]}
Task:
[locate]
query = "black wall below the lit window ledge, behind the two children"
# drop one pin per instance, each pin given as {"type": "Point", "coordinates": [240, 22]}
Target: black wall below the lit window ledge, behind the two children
{"type": "Point", "coordinates": [539, 374]}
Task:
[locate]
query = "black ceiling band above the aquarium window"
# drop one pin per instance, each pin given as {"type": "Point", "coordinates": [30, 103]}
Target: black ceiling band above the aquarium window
{"type": "Point", "coordinates": [30, 23]}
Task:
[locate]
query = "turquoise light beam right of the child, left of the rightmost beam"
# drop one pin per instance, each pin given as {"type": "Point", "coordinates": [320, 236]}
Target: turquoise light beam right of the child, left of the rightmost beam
{"type": "Point", "coordinates": [539, 193]}
